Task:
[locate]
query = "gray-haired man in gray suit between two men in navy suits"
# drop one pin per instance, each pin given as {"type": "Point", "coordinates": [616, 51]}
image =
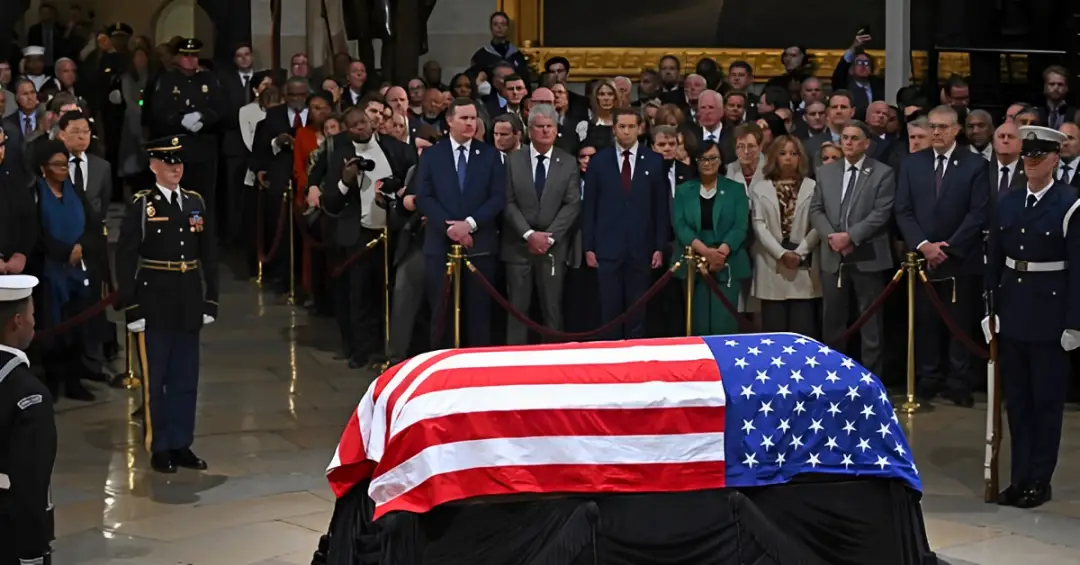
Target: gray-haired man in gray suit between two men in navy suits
{"type": "Point", "coordinates": [544, 200]}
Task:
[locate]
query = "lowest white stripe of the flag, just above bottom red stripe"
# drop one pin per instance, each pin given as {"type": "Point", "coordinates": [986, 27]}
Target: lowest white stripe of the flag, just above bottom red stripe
{"type": "Point", "coordinates": [561, 450]}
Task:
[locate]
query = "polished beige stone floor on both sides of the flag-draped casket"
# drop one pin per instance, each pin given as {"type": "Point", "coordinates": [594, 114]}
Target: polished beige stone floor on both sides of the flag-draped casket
{"type": "Point", "coordinates": [273, 402]}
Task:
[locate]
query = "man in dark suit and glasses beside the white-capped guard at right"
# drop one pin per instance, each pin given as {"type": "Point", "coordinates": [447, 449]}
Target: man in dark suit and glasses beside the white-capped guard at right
{"type": "Point", "coordinates": [941, 209]}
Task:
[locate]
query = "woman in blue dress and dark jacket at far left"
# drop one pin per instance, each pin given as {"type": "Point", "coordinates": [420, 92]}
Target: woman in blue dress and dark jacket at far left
{"type": "Point", "coordinates": [70, 254]}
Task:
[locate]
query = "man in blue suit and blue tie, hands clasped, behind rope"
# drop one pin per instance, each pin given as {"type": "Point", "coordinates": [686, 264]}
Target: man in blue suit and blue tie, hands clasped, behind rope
{"type": "Point", "coordinates": [462, 191]}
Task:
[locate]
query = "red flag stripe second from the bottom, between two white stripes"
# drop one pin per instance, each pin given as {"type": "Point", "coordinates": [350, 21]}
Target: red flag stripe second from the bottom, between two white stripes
{"type": "Point", "coordinates": [548, 423]}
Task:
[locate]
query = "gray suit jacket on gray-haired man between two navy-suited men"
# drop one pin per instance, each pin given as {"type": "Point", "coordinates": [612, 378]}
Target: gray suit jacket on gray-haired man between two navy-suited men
{"type": "Point", "coordinates": [557, 211]}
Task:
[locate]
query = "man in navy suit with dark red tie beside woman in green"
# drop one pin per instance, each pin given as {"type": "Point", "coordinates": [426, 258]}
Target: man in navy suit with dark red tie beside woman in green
{"type": "Point", "coordinates": [626, 222]}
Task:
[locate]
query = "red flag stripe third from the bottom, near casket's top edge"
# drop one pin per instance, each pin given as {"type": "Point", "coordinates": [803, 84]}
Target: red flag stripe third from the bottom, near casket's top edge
{"type": "Point", "coordinates": [692, 371]}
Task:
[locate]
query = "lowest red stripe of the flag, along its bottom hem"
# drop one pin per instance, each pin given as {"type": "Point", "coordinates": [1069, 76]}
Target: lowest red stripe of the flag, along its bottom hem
{"type": "Point", "coordinates": [556, 479]}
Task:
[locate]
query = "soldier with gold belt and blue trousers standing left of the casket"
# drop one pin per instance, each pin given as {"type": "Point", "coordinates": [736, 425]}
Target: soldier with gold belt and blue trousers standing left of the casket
{"type": "Point", "coordinates": [166, 257]}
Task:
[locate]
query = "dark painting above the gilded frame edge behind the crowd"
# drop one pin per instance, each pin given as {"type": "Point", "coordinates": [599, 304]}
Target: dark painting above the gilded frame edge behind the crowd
{"type": "Point", "coordinates": [754, 24]}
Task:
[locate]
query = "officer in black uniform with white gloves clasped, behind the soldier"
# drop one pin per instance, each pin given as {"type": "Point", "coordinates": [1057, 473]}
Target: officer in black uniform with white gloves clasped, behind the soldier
{"type": "Point", "coordinates": [192, 102]}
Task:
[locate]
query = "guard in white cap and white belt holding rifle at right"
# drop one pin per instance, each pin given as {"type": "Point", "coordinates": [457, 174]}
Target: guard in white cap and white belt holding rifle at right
{"type": "Point", "coordinates": [1035, 273]}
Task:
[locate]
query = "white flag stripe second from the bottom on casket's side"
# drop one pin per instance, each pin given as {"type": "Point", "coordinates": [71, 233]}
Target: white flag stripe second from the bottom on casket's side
{"type": "Point", "coordinates": [655, 395]}
